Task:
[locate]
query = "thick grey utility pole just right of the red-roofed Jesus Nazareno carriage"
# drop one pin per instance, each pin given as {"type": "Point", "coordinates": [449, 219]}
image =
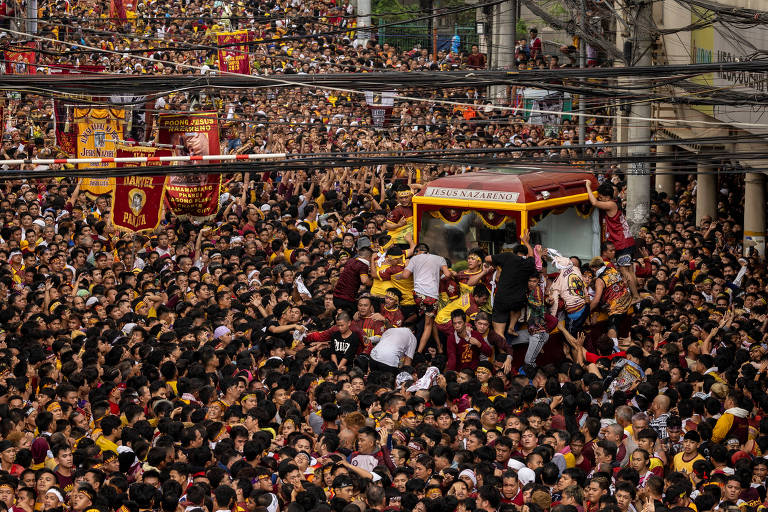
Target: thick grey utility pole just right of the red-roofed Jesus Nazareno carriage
{"type": "Point", "coordinates": [638, 173]}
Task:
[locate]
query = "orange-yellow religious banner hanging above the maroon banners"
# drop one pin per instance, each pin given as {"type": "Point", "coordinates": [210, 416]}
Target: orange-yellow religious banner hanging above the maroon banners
{"type": "Point", "coordinates": [98, 132]}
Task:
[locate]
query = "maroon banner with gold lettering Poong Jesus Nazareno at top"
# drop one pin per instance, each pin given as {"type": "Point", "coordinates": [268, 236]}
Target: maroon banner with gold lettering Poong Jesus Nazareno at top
{"type": "Point", "coordinates": [194, 196]}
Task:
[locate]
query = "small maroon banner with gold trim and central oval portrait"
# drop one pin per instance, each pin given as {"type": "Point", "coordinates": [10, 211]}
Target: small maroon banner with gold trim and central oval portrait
{"type": "Point", "coordinates": [137, 202]}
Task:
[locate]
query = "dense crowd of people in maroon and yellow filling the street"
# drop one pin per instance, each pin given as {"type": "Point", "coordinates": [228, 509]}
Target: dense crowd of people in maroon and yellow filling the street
{"type": "Point", "coordinates": [301, 353]}
